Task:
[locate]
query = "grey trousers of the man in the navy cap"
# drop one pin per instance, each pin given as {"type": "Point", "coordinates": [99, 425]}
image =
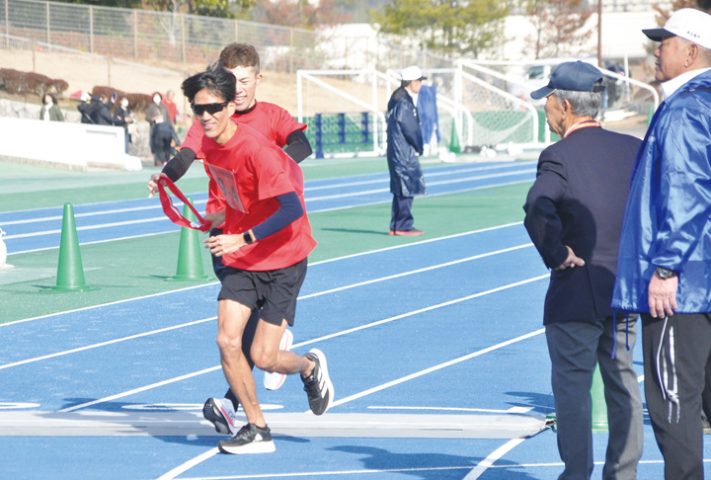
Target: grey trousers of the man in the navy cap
{"type": "Point", "coordinates": [574, 349]}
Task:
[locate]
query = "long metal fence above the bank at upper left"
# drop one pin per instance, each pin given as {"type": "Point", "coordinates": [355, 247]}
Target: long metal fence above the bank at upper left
{"type": "Point", "coordinates": [149, 35]}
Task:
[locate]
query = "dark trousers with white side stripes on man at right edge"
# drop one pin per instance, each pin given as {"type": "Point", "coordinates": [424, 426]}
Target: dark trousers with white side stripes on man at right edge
{"type": "Point", "coordinates": [676, 351]}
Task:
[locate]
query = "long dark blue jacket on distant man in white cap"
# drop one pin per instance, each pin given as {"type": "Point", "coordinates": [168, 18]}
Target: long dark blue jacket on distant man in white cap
{"type": "Point", "coordinates": [404, 145]}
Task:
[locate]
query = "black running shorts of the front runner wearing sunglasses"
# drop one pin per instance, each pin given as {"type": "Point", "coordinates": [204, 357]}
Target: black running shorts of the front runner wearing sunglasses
{"type": "Point", "coordinates": [273, 291]}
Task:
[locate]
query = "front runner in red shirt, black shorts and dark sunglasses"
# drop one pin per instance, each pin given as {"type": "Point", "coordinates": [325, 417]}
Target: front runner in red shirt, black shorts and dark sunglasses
{"type": "Point", "coordinates": [266, 239]}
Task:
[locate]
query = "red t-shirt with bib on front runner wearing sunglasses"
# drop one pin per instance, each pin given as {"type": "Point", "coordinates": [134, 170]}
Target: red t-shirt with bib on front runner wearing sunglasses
{"type": "Point", "coordinates": [250, 172]}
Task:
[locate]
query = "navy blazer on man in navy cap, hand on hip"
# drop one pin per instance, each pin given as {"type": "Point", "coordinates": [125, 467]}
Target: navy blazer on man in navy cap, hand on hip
{"type": "Point", "coordinates": [578, 199]}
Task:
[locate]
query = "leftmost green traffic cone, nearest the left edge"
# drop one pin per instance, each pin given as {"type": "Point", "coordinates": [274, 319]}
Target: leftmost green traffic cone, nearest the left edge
{"type": "Point", "coordinates": [70, 272]}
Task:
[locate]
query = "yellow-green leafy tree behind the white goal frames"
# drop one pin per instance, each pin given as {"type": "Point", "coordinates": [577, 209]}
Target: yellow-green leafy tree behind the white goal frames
{"type": "Point", "coordinates": [465, 27]}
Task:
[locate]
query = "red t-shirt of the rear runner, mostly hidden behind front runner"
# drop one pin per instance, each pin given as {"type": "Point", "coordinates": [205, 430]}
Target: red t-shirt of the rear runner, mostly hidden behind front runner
{"type": "Point", "coordinates": [269, 119]}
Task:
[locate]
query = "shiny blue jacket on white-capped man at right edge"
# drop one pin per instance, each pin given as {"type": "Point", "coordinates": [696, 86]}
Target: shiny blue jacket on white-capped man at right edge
{"type": "Point", "coordinates": [668, 217]}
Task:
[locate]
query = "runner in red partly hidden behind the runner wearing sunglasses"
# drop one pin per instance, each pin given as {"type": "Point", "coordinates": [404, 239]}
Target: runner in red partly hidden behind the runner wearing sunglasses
{"type": "Point", "coordinates": [277, 125]}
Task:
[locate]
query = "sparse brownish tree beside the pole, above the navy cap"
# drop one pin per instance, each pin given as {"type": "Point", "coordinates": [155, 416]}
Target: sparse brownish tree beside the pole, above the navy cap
{"type": "Point", "coordinates": [559, 26]}
